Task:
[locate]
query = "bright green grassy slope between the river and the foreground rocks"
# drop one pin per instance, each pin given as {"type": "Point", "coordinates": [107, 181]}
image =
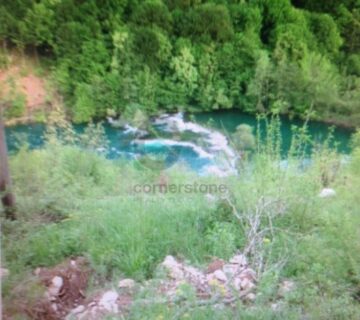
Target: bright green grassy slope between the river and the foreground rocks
{"type": "Point", "coordinates": [73, 202]}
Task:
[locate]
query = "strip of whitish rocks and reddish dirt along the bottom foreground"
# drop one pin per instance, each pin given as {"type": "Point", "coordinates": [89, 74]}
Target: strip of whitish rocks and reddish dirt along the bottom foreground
{"type": "Point", "coordinates": [64, 289]}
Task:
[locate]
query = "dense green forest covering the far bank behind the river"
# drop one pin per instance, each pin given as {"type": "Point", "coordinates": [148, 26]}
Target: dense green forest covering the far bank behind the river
{"type": "Point", "coordinates": [299, 58]}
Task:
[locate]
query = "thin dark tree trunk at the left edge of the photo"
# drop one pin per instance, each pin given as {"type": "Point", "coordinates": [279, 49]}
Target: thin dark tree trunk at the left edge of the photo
{"type": "Point", "coordinates": [7, 197]}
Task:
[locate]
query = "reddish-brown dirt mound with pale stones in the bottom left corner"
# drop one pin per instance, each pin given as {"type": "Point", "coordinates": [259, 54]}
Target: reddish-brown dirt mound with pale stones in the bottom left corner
{"type": "Point", "coordinates": [51, 293]}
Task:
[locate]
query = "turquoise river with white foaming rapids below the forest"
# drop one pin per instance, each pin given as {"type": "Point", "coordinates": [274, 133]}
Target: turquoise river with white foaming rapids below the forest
{"type": "Point", "coordinates": [199, 141]}
